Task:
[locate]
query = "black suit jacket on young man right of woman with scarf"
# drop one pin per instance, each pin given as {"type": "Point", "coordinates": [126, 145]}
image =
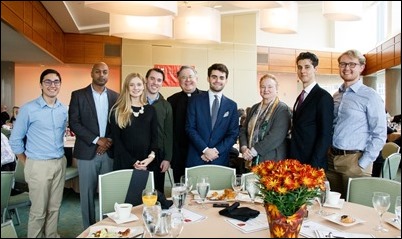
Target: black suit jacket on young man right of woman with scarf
{"type": "Point", "coordinates": [312, 128]}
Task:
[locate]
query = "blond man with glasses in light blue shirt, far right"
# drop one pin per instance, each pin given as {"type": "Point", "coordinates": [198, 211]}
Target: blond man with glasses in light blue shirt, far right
{"type": "Point", "coordinates": [360, 127]}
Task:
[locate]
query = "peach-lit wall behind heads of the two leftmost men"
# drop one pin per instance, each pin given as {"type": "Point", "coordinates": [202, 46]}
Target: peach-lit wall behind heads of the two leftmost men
{"type": "Point", "coordinates": [73, 78]}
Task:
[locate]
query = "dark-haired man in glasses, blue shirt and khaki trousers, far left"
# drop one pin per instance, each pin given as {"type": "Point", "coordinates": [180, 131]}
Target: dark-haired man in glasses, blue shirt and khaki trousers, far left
{"type": "Point", "coordinates": [43, 122]}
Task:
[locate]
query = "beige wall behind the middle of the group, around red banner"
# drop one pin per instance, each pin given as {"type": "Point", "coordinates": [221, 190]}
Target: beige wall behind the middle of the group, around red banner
{"type": "Point", "coordinates": [238, 51]}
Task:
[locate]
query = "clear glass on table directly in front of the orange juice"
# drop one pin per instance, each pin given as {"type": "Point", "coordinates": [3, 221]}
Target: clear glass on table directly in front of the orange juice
{"type": "Point", "coordinates": [151, 215]}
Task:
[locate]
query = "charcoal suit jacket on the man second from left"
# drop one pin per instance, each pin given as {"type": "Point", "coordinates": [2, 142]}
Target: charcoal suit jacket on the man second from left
{"type": "Point", "coordinates": [83, 121]}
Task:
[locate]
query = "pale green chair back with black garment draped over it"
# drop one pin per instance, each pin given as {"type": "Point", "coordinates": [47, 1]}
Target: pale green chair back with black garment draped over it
{"type": "Point", "coordinates": [113, 187]}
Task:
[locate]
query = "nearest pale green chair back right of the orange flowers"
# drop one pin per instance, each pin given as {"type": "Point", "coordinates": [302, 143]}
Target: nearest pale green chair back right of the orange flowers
{"type": "Point", "coordinates": [360, 190]}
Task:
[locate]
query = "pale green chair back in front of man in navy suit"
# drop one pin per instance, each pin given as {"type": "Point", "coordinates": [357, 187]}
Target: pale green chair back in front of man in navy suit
{"type": "Point", "coordinates": [219, 176]}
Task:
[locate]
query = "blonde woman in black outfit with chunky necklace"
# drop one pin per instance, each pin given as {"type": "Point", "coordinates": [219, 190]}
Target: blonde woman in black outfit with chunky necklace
{"type": "Point", "coordinates": [134, 127]}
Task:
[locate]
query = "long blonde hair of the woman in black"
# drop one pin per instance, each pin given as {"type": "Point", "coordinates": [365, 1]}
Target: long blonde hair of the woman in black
{"type": "Point", "coordinates": [122, 108]}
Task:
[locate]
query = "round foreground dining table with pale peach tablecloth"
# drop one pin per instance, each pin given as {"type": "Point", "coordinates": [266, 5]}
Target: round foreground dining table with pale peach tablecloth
{"type": "Point", "coordinates": [216, 226]}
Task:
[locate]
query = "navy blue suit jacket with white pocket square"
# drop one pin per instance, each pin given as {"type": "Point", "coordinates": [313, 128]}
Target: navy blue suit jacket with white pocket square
{"type": "Point", "coordinates": [200, 132]}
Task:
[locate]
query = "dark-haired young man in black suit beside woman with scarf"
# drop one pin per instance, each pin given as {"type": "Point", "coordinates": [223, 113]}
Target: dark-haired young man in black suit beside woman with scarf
{"type": "Point", "coordinates": [311, 132]}
